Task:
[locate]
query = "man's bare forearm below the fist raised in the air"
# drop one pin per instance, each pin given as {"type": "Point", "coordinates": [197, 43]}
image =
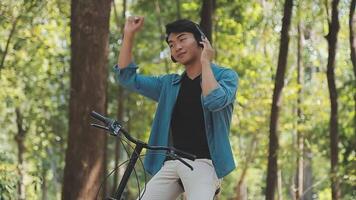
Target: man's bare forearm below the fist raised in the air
{"type": "Point", "coordinates": [125, 56]}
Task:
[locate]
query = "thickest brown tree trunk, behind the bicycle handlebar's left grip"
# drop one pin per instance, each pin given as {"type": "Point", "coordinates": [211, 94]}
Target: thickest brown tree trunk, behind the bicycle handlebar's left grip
{"type": "Point", "coordinates": [86, 145]}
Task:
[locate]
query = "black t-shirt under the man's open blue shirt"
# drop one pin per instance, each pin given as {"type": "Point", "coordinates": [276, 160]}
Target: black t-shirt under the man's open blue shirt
{"type": "Point", "coordinates": [187, 124]}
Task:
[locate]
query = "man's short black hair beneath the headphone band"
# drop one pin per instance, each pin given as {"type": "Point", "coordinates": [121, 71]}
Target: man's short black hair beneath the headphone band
{"type": "Point", "coordinates": [184, 25]}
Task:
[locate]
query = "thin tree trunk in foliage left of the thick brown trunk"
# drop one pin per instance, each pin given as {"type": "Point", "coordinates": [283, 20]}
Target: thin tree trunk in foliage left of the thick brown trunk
{"type": "Point", "coordinates": [20, 139]}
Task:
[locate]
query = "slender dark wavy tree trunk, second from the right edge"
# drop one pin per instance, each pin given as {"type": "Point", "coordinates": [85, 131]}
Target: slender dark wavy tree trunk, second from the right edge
{"type": "Point", "coordinates": [332, 43]}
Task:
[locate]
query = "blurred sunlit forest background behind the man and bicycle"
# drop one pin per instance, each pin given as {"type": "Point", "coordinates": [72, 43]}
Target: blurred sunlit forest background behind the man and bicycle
{"type": "Point", "coordinates": [294, 125]}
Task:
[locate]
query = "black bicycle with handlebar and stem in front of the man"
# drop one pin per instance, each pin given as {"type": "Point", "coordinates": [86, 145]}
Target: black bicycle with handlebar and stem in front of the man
{"type": "Point", "coordinates": [114, 128]}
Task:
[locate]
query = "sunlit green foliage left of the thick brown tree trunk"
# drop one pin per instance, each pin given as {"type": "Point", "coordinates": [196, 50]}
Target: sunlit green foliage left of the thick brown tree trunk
{"type": "Point", "coordinates": [34, 80]}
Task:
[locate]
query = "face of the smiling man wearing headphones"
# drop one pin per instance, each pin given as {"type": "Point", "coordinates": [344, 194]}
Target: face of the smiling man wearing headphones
{"type": "Point", "coordinates": [184, 48]}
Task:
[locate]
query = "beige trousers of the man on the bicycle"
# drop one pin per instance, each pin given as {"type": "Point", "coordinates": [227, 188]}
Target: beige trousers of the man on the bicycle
{"type": "Point", "coordinates": [199, 184]}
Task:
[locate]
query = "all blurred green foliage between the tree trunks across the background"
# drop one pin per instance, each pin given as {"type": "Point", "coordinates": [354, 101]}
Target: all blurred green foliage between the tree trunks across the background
{"type": "Point", "coordinates": [35, 80]}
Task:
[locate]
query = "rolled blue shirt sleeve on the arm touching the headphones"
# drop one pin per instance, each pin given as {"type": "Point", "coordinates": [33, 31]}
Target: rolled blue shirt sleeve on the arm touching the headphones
{"type": "Point", "coordinates": [224, 94]}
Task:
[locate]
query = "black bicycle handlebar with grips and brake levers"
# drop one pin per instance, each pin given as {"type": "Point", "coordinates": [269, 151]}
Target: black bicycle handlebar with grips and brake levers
{"type": "Point", "coordinates": [115, 127]}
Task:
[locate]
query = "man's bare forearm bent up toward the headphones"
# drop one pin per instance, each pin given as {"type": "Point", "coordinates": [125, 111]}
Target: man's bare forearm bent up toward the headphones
{"type": "Point", "coordinates": [209, 82]}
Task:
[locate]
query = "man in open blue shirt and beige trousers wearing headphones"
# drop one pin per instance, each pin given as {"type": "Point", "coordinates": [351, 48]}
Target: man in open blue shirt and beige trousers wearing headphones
{"type": "Point", "coordinates": [193, 114]}
